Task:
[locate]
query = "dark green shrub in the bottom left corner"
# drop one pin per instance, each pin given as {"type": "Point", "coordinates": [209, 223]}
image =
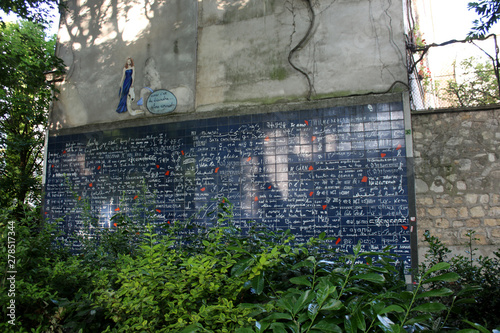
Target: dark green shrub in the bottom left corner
{"type": "Point", "coordinates": [44, 270]}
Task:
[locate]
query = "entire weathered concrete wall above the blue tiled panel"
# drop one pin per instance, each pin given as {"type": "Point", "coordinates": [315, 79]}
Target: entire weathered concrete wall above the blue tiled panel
{"type": "Point", "coordinates": [215, 54]}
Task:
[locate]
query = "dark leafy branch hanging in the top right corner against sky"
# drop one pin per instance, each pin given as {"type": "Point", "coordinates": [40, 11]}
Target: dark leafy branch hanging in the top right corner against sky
{"type": "Point", "coordinates": [489, 14]}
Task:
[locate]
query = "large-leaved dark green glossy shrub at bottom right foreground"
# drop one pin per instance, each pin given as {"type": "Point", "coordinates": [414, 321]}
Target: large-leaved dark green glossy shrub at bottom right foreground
{"type": "Point", "coordinates": [355, 297]}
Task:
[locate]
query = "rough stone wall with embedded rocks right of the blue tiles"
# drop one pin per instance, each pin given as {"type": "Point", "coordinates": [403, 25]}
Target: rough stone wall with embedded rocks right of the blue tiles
{"type": "Point", "coordinates": [457, 172]}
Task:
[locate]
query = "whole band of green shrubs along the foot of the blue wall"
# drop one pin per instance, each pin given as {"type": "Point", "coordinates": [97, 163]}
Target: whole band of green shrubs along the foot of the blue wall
{"type": "Point", "coordinates": [180, 277]}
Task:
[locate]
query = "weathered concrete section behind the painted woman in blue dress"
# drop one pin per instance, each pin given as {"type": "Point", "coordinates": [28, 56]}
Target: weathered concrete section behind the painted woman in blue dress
{"type": "Point", "coordinates": [96, 37]}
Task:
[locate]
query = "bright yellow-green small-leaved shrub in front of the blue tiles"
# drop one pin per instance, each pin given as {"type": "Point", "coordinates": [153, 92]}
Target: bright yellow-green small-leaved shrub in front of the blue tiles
{"type": "Point", "coordinates": [196, 282]}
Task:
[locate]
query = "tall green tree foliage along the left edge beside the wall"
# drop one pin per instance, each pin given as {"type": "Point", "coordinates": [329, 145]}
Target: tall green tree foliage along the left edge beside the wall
{"type": "Point", "coordinates": [25, 96]}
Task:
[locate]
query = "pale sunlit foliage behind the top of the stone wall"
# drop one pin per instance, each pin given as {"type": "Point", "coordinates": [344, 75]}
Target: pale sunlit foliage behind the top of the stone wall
{"type": "Point", "coordinates": [477, 85]}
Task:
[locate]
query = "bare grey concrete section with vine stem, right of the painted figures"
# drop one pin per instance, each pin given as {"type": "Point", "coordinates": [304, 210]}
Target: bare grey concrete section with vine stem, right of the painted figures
{"type": "Point", "coordinates": [244, 47]}
